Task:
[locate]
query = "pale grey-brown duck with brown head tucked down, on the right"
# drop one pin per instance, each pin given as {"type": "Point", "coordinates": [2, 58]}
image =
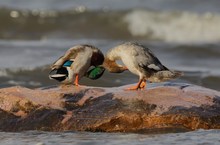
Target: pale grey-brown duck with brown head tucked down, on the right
{"type": "Point", "coordinates": [140, 61]}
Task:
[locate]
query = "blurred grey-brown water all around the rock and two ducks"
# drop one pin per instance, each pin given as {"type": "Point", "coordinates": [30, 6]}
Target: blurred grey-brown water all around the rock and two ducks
{"type": "Point", "coordinates": [184, 34]}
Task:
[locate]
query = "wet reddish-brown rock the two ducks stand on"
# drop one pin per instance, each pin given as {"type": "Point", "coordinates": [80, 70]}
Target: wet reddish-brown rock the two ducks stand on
{"type": "Point", "coordinates": [165, 108]}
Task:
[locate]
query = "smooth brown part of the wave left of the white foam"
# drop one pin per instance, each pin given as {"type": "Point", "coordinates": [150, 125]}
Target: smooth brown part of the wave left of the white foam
{"type": "Point", "coordinates": [73, 23]}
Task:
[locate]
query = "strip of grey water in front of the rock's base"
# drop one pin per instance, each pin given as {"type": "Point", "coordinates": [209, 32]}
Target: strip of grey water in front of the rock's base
{"type": "Point", "coordinates": [200, 137]}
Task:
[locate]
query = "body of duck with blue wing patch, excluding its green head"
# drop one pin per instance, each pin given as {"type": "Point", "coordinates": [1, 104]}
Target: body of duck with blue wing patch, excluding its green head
{"type": "Point", "coordinates": [75, 63]}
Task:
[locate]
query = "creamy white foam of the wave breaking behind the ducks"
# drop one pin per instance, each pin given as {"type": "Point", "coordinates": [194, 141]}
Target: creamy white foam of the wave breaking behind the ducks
{"type": "Point", "coordinates": [178, 27]}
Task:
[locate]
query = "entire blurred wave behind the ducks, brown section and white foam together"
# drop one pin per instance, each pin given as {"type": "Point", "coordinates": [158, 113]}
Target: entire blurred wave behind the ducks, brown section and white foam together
{"type": "Point", "coordinates": [166, 26]}
